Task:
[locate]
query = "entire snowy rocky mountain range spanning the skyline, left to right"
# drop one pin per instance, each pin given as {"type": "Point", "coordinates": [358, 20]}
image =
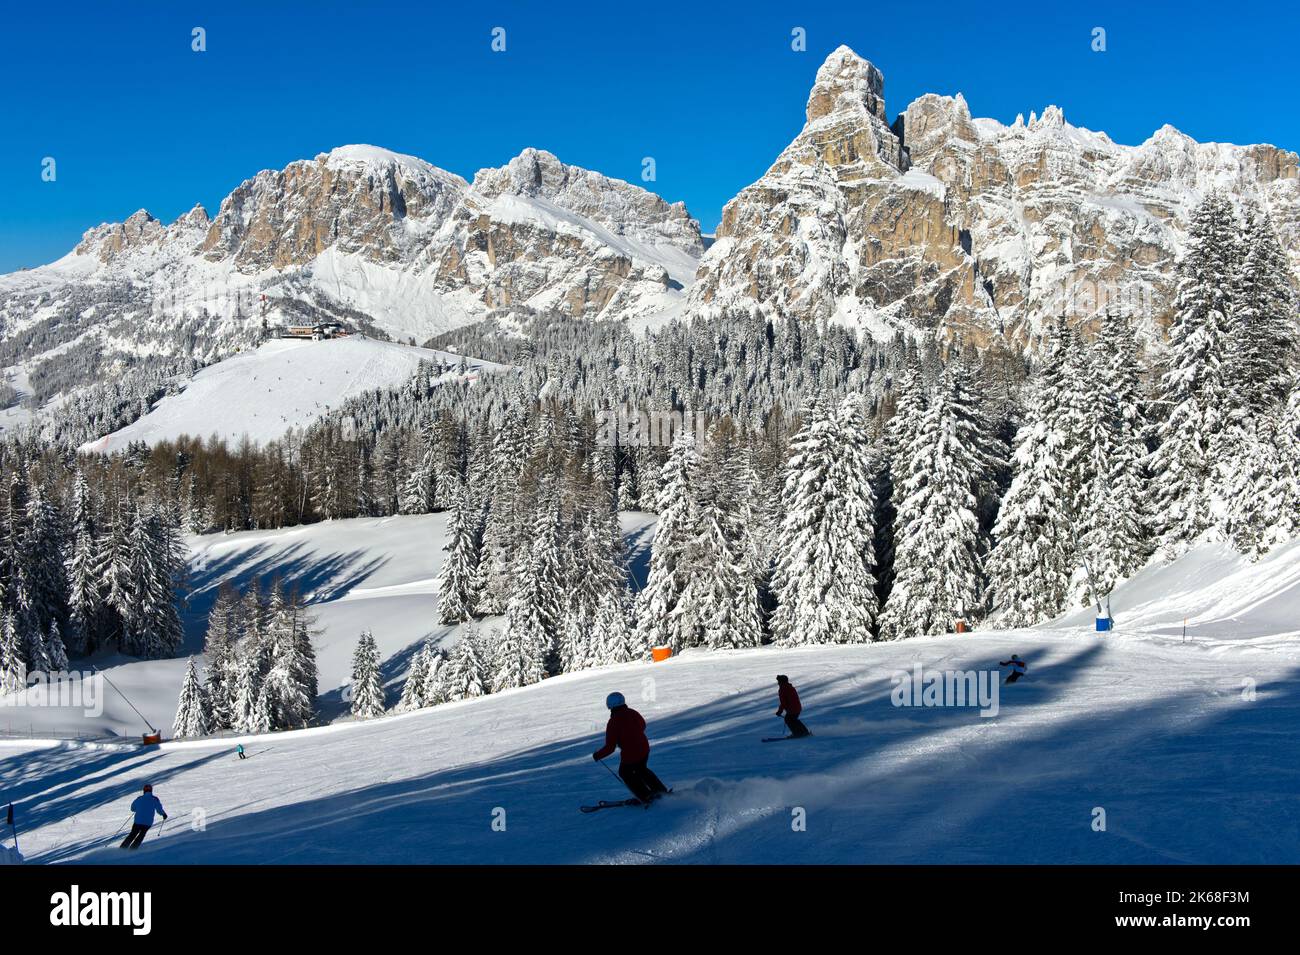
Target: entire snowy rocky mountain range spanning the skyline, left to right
{"type": "Point", "coordinates": [937, 223]}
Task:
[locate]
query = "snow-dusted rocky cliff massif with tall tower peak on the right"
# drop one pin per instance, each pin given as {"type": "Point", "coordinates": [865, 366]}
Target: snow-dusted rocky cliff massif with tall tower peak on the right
{"type": "Point", "coordinates": [967, 228]}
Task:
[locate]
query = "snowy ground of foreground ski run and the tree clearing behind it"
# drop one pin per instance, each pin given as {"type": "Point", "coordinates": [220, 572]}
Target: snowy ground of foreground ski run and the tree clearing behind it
{"type": "Point", "coordinates": [1143, 723]}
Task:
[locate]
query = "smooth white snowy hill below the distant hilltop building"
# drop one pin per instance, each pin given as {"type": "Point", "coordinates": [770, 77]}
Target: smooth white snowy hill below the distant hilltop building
{"type": "Point", "coordinates": [283, 385]}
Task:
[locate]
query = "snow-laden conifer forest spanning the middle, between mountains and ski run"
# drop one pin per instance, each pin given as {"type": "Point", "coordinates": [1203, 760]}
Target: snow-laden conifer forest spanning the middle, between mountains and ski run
{"type": "Point", "coordinates": [843, 490]}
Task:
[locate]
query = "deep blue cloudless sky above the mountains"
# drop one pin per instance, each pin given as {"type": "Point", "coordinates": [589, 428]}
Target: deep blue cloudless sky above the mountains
{"type": "Point", "coordinates": [713, 92]}
